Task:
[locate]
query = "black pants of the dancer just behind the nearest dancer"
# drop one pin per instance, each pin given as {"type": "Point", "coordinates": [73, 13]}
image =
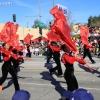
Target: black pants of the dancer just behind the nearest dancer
{"type": "Point", "coordinates": [58, 67]}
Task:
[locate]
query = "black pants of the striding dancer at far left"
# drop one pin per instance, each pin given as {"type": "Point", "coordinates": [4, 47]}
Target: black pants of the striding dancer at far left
{"type": "Point", "coordinates": [6, 67]}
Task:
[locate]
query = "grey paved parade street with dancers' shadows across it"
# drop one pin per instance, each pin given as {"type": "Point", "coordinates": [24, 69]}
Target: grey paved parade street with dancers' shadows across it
{"type": "Point", "coordinates": [35, 78]}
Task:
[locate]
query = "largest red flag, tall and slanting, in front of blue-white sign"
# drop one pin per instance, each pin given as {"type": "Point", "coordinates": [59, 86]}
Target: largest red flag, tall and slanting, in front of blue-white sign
{"type": "Point", "coordinates": [61, 28]}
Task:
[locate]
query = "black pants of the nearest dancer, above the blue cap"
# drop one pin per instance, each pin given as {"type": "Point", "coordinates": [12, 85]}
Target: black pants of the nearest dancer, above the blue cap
{"type": "Point", "coordinates": [70, 79]}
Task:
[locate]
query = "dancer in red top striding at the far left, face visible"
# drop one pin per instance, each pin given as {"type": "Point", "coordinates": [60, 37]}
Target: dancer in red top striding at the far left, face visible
{"type": "Point", "coordinates": [7, 67]}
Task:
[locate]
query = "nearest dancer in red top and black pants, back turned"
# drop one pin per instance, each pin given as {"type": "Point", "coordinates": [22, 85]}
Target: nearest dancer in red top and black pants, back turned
{"type": "Point", "coordinates": [68, 59]}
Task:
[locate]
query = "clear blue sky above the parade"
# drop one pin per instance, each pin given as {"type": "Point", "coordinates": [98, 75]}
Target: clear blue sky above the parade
{"type": "Point", "coordinates": [80, 9]}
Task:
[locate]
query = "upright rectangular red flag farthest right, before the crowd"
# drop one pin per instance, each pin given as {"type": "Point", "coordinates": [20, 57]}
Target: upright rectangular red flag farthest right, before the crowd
{"type": "Point", "coordinates": [84, 31]}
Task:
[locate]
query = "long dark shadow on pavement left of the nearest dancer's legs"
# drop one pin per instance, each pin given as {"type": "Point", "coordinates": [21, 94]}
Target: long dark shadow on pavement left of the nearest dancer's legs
{"type": "Point", "coordinates": [54, 82]}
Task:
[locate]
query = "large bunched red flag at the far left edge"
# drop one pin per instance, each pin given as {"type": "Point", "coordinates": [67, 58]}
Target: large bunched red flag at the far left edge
{"type": "Point", "coordinates": [8, 34]}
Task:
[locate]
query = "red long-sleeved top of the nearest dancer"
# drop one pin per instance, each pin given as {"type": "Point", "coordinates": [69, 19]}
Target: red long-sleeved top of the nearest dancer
{"type": "Point", "coordinates": [71, 59]}
